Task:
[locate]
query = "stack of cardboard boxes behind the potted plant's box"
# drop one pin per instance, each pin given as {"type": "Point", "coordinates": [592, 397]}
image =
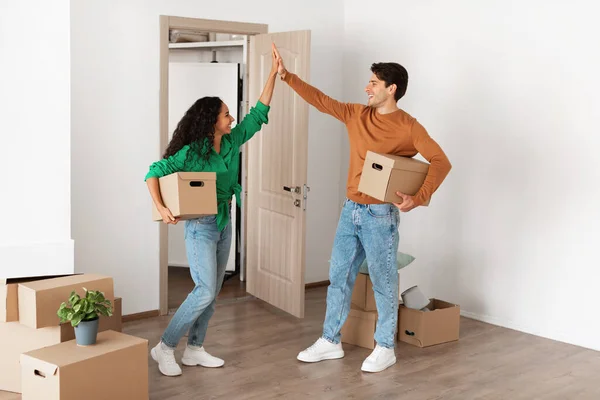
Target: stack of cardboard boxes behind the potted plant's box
{"type": "Point", "coordinates": [28, 319]}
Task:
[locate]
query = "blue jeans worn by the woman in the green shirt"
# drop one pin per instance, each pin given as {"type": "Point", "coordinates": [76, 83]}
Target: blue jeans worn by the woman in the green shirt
{"type": "Point", "coordinates": [207, 252]}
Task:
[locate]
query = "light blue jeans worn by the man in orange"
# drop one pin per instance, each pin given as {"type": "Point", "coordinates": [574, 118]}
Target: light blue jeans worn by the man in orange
{"type": "Point", "coordinates": [369, 231]}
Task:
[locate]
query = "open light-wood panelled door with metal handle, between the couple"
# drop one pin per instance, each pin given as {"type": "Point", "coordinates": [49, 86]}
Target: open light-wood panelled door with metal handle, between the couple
{"type": "Point", "coordinates": [277, 158]}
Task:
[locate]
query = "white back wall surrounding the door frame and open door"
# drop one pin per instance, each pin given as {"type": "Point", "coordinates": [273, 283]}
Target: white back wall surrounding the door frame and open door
{"type": "Point", "coordinates": [115, 83]}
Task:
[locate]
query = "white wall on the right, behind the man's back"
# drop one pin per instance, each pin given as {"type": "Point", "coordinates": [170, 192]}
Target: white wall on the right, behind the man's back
{"type": "Point", "coordinates": [511, 92]}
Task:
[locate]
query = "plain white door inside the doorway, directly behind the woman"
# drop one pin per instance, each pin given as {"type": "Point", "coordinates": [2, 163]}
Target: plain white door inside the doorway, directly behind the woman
{"type": "Point", "coordinates": [189, 81]}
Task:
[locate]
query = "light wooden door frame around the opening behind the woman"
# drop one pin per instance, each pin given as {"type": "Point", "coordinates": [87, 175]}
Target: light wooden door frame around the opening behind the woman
{"type": "Point", "coordinates": [167, 23]}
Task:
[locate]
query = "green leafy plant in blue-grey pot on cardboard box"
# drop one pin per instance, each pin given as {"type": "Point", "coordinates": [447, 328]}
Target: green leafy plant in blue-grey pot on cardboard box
{"type": "Point", "coordinates": [83, 313]}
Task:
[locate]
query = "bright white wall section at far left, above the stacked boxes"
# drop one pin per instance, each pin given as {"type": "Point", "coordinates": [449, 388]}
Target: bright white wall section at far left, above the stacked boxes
{"type": "Point", "coordinates": [35, 234]}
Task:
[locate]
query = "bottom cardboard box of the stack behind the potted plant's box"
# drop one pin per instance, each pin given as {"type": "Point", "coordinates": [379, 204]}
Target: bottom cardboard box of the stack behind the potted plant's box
{"type": "Point", "coordinates": [16, 339]}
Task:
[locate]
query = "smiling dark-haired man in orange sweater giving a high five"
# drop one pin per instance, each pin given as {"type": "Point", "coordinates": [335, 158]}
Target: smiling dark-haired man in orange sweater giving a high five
{"type": "Point", "coordinates": [368, 227]}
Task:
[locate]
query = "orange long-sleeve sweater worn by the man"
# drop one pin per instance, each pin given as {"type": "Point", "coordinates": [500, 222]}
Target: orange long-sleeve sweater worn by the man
{"type": "Point", "coordinates": [394, 133]}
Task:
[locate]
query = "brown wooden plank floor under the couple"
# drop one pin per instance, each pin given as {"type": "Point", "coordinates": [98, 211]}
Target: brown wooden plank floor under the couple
{"type": "Point", "coordinates": [260, 344]}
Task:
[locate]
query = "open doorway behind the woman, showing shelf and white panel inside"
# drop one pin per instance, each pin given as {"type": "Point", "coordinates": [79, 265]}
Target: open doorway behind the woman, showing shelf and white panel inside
{"type": "Point", "coordinates": [205, 64]}
